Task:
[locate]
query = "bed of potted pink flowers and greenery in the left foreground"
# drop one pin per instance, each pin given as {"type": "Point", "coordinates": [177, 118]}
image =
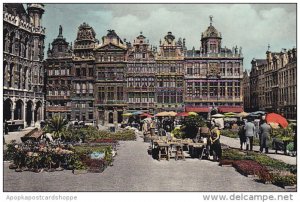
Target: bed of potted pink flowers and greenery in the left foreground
{"type": "Point", "coordinates": [53, 157]}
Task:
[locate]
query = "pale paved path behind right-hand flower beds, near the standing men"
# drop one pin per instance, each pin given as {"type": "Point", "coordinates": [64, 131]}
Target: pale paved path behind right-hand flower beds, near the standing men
{"type": "Point", "coordinates": [235, 143]}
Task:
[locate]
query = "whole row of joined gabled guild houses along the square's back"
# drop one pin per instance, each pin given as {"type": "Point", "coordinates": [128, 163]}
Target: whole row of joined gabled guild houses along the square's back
{"type": "Point", "coordinates": [111, 77]}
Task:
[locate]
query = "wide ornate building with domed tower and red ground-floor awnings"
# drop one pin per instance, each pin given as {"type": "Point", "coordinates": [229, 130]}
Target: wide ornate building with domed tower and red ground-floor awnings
{"type": "Point", "coordinates": [213, 76]}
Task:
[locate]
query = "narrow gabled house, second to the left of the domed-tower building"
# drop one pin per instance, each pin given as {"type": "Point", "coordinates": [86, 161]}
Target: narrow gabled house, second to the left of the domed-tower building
{"type": "Point", "coordinates": [140, 76]}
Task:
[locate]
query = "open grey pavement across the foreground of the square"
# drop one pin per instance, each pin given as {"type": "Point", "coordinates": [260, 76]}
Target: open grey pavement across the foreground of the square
{"type": "Point", "coordinates": [135, 170]}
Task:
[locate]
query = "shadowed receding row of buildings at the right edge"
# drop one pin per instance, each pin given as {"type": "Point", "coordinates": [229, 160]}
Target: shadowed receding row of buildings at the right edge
{"type": "Point", "coordinates": [273, 85]}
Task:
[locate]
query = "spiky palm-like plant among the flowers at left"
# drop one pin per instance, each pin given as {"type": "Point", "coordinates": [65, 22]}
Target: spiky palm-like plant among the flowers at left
{"type": "Point", "coordinates": [56, 126]}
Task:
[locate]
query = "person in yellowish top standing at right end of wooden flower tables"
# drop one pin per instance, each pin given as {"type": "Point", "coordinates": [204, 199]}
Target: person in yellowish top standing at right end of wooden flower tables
{"type": "Point", "coordinates": [215, 142]}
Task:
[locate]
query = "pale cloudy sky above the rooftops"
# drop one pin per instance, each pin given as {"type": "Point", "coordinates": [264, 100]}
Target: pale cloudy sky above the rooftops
{"type": "Point", "coordinates": [250, 26]}
